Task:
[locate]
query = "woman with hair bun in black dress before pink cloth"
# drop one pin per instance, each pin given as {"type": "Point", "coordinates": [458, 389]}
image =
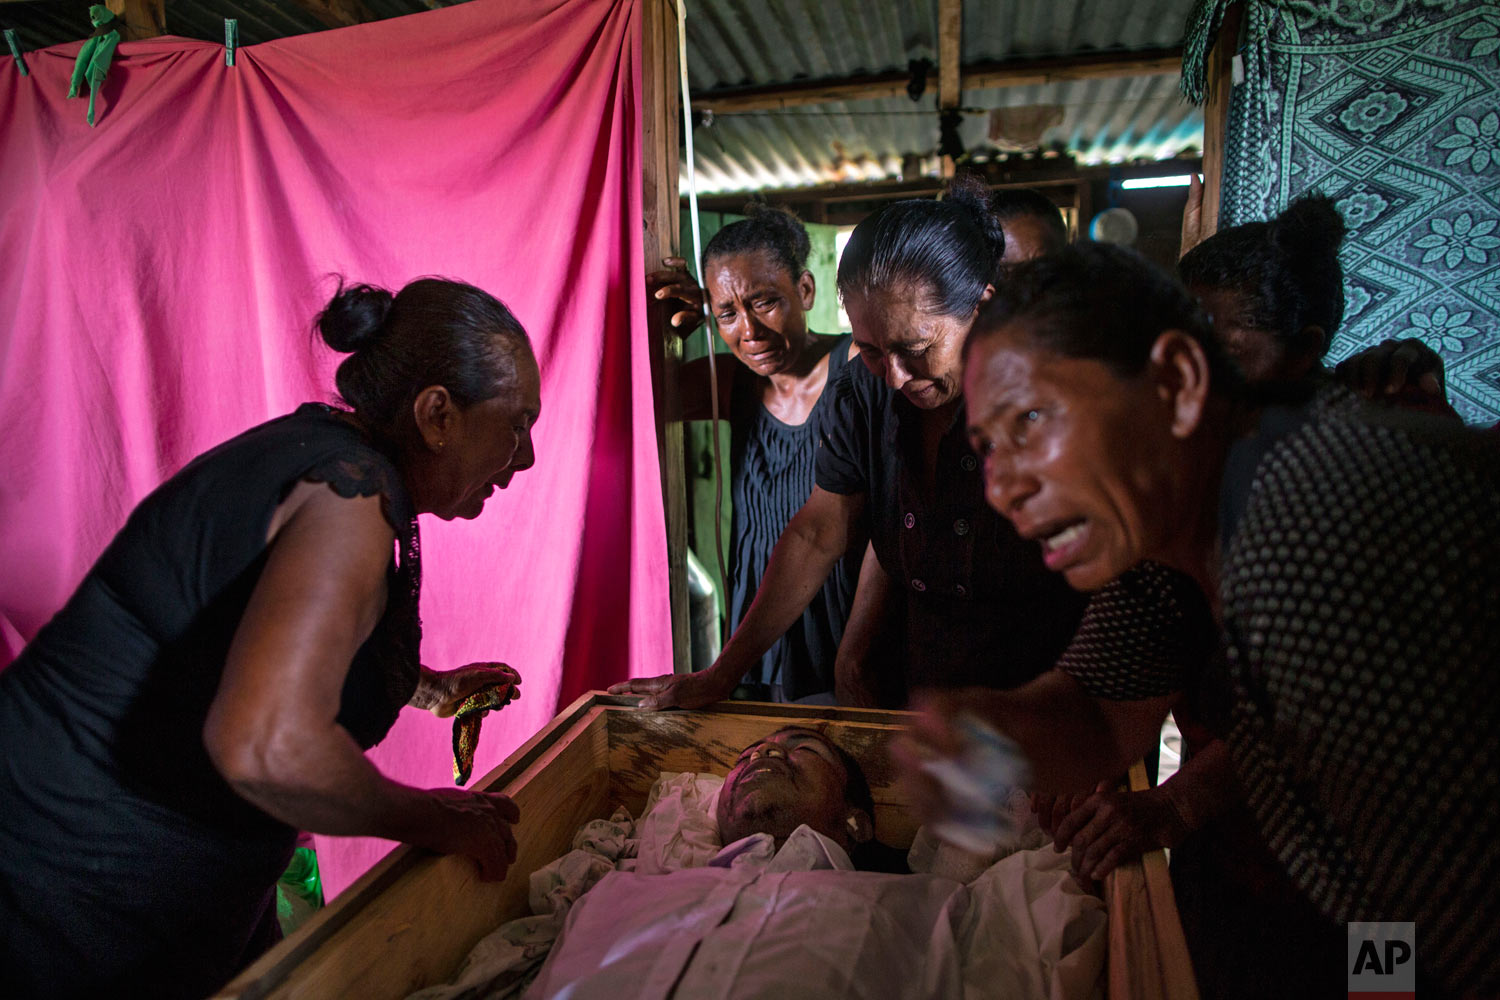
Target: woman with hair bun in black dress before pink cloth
{"type": "Point", "coordinates": [211, 687]}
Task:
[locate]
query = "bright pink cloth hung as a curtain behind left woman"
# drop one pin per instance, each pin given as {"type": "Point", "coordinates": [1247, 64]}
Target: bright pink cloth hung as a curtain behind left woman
{"type": "Point", "coordinates": [161, 272]}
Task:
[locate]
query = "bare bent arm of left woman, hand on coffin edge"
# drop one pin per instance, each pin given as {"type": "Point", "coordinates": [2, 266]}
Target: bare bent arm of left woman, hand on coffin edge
{"type": "Point", "coordinates": [272, 729]}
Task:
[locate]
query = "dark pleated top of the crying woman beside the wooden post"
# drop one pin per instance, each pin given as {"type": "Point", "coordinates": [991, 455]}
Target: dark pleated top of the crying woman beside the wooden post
{"type": "Point", "coordinates": [773, 478]}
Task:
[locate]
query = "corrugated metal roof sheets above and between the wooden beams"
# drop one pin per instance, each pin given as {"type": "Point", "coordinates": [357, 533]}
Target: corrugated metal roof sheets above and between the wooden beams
{"type": "Point", "coordinates": [761, 43]}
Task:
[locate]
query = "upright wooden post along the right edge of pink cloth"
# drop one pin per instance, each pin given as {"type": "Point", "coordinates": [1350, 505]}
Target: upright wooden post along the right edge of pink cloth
{"type": "Point", "coordinates": [662, 116]}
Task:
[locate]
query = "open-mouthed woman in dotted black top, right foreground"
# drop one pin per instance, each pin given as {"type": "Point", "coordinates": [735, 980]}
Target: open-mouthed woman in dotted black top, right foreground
{"type": "Point", "coordinates": [1349, 557]}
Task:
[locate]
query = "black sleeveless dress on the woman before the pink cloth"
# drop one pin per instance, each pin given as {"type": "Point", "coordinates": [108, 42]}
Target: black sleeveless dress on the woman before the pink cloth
{"type": "Point", "coordinates": [128, 866]}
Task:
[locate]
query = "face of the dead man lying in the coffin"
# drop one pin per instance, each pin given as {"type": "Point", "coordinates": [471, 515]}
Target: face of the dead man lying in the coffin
{"type": "Point", "coordinates": [782, 782]}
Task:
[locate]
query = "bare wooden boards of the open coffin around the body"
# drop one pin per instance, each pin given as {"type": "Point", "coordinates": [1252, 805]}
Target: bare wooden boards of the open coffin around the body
{"type": "Point", "coordinates": [412, 920]}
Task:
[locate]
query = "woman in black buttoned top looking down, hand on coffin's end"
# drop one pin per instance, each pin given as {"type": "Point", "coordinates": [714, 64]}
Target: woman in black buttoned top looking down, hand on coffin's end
{"type": "Point", "coordinates": [893, 457]}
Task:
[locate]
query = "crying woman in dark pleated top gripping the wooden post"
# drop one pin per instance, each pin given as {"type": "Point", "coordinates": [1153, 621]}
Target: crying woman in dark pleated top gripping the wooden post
{"type": "Point", "coordinates": [760, 292]}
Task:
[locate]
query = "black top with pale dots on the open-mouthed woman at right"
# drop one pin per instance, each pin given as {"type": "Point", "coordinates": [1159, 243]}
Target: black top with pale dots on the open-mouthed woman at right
{"type": "Point", "coordinates": [1357, 689]}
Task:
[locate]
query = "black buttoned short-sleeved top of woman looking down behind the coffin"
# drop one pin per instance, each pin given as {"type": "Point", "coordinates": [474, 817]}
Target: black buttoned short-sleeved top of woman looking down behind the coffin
{"type": "Point", "coordinates": [982, 608]}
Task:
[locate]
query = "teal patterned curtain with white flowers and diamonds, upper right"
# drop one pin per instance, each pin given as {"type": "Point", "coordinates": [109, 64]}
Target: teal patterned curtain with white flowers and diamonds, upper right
{"type": "Point", "coordinates": [1391, 109]}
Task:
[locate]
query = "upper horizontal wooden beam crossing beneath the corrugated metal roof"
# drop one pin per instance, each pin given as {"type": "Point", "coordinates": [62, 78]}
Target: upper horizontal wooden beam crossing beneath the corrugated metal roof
{"type": "Point", "coordinates": [1018, 73]}
